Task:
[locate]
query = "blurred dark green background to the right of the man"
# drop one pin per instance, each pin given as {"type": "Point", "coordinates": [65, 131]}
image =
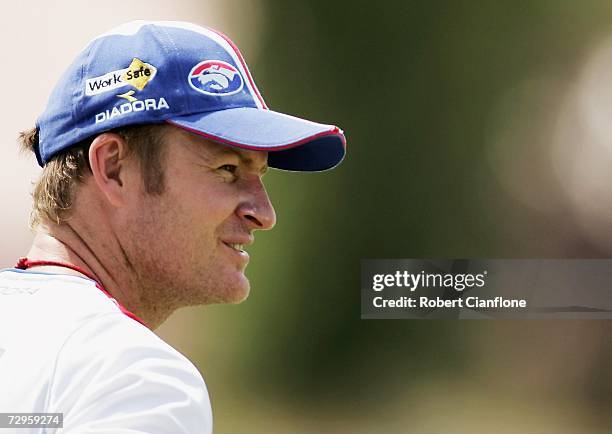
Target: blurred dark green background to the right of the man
{"type": "Point", "coordinates": [469, 125]}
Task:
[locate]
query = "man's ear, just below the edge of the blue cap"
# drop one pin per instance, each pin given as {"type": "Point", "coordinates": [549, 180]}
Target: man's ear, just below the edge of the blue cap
{"type": "Point", "coordinates": [108, 160]}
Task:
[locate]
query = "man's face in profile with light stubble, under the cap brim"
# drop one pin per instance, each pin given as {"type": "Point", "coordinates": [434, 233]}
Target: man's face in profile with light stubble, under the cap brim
{"type": "Point", "coordinates": [186, 245]}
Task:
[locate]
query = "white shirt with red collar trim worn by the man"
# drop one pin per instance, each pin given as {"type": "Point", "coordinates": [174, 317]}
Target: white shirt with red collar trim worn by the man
{"type": "Point", "coordinates": [65, 347]}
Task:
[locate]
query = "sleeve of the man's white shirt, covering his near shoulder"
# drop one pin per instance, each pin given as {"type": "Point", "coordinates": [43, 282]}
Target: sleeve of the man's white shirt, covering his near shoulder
{"type": "Point", "coordinates": [114, 373]}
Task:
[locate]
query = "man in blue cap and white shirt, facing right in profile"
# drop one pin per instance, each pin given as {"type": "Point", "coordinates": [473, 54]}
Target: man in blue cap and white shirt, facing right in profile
{"type": "Point", "coordinates": [153, 145]}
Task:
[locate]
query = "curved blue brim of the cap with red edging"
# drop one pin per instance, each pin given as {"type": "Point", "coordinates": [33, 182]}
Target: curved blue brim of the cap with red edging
{"type": "Point", "coordinates": [294, 143]}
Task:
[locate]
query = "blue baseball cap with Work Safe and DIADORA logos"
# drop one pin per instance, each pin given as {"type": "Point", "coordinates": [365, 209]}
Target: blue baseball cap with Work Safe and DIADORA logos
{"type": "Point", "coordinates": [193, 77]}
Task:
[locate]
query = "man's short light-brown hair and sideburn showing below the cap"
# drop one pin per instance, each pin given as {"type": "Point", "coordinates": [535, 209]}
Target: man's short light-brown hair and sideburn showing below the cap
{"type": "Point", "coordinates": [54, 192]}
